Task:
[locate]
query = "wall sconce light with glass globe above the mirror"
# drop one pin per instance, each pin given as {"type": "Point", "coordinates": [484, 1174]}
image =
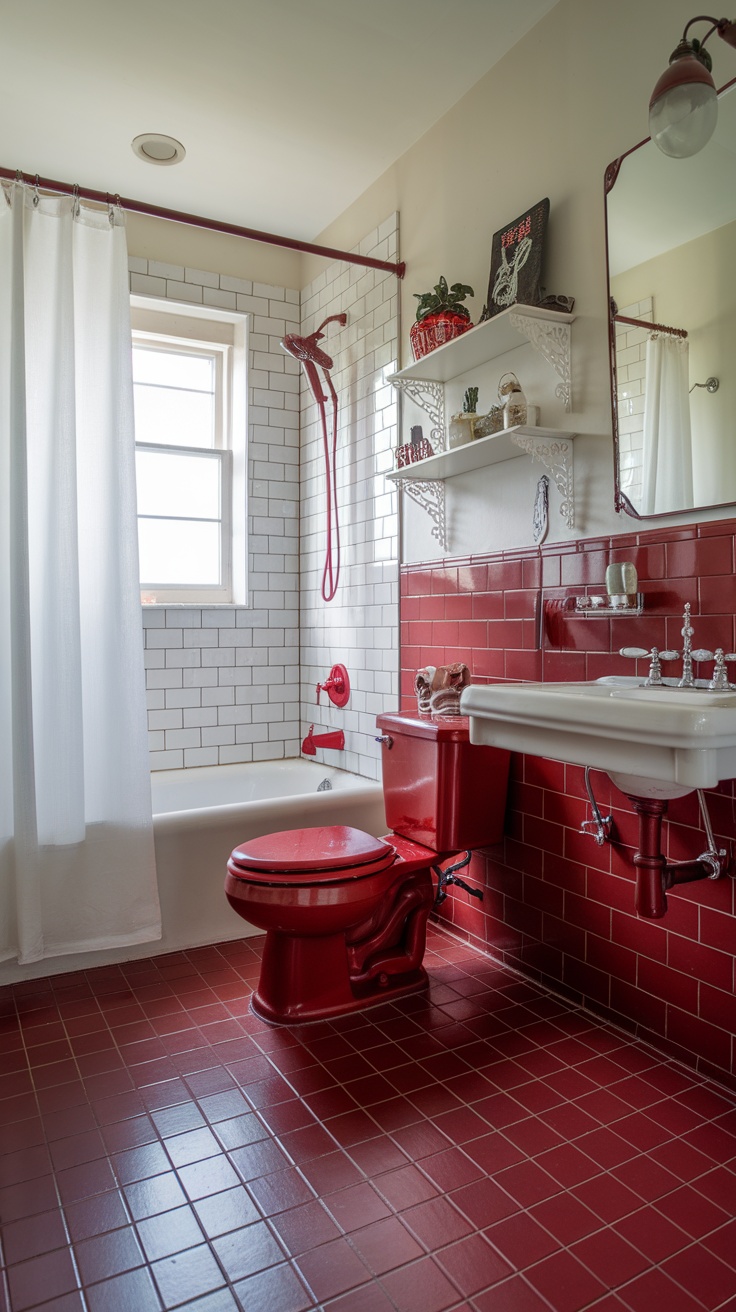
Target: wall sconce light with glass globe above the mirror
{"type": "Point", "coordinates": [684, 106]}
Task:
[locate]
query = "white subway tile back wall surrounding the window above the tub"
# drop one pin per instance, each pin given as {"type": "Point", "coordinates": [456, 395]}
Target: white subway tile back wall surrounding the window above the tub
{"type": "Point", "coordinates": [224, 682]}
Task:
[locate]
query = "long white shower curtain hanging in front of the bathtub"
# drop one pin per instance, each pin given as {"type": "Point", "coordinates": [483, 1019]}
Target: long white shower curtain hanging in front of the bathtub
{"type": "Point", "coordinates": [77, 848]}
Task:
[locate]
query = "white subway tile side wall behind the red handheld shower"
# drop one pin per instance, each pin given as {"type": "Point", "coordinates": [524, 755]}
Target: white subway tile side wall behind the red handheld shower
{"type": "Point", "coordinates": [360, 628]}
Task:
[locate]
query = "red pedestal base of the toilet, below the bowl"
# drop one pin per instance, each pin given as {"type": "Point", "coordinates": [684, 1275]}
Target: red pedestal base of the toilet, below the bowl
{"type": "Point", "coordinates": [318, 977]}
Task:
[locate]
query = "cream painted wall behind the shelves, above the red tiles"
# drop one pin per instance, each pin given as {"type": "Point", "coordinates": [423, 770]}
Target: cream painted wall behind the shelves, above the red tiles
{"type": "Point", "coordinates": [546, 121]}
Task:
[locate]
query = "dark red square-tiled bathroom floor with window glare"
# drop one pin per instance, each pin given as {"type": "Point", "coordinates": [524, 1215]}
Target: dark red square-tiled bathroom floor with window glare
{"type": "Point", "coordinates": [481, 1147]}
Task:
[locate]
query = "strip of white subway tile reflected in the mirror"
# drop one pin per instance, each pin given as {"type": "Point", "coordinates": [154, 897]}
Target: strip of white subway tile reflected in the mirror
{"type": "Point", "coordinates": [630, 367]}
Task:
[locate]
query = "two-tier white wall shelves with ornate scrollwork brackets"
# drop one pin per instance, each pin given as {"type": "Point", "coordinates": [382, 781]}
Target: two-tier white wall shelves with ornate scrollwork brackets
{"type": "Point", "coordinates": [424, 382]}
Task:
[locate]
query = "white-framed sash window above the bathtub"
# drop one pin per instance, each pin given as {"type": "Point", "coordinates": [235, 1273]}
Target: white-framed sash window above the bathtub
{"type": "Point", "coordinates": [190, 459]}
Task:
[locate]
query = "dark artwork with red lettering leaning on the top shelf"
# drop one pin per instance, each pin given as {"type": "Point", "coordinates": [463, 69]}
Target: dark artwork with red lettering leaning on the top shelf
{"type": "Point", "coordinates": [516, 262]}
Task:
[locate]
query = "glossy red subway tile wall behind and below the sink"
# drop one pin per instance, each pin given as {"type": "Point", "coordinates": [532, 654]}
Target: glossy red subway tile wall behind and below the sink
{"type": "Point", "coordinates": [558, 906]}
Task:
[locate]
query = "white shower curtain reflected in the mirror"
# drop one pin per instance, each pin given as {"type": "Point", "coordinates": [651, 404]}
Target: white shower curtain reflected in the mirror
{"type": "Point", "coordinates": [668, 445]}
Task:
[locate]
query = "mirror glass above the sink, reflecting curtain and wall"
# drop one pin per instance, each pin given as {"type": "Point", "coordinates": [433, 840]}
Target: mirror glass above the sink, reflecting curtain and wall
{"type": "Point", "coordinates": [672, 283]}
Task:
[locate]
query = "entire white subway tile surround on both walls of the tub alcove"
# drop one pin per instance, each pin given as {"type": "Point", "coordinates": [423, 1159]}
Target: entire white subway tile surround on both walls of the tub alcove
{"type": "Point", "coordinates": [224, 682]}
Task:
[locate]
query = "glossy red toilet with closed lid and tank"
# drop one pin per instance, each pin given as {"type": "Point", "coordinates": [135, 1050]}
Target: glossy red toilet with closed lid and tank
{"type": "Point", "coordinates": [346, 914]}
